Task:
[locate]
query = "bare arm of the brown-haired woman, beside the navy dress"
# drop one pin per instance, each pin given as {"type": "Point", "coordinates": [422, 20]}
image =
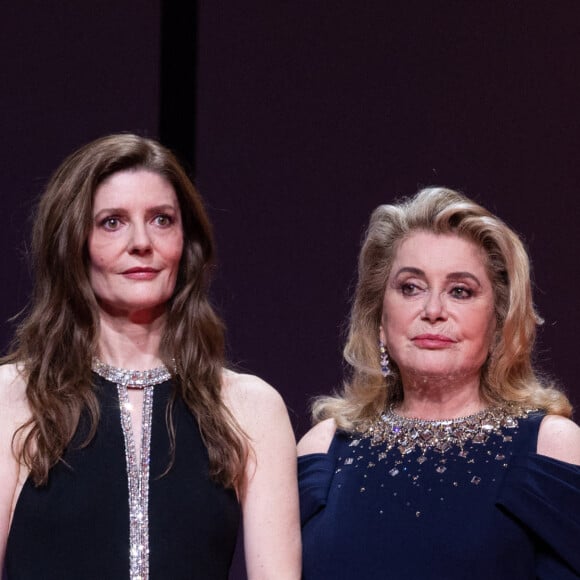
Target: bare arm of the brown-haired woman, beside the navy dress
{"type": "Point", "coordinates": [270, 498]}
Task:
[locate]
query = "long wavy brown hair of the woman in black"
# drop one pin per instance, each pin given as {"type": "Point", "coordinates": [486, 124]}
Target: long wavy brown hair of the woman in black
{"type": "Point", "coordinates": [56, 340]}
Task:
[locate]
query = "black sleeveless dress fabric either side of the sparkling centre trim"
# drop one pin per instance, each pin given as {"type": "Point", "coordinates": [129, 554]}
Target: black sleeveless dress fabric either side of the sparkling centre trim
{"type": "Point", "coordinates": [77, 526]}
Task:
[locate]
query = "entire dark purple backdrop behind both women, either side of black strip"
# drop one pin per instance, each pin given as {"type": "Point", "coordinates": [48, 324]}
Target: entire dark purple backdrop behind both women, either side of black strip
{"type": "Point", "coordinates": [309, 114]}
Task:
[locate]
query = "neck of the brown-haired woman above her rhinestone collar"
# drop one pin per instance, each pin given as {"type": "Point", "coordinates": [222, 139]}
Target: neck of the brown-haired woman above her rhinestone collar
{"type": "Point", "coordinates": [127, 344]}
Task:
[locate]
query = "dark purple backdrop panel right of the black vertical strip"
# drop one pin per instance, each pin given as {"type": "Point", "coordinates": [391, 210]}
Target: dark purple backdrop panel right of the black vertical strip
{"type": "Point", "coordinates": [310, 114]}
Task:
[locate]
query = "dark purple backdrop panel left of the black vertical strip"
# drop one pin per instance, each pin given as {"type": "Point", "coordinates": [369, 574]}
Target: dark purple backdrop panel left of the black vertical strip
{"type": "Point", "coordinates": [70, 72]}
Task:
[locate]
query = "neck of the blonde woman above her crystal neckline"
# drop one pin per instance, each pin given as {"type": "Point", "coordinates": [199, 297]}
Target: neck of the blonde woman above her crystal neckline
{"type": "Point", "coordinates": [440, 397]}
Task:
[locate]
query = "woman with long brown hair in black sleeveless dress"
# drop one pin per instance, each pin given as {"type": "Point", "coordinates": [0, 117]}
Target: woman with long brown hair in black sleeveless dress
{"type": "Point", "coordinates": [126, 447]}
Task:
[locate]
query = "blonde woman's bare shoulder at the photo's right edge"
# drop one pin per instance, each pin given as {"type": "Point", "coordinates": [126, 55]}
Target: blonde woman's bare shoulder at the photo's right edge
{"type": "Point", "coordinates": [559, 438]}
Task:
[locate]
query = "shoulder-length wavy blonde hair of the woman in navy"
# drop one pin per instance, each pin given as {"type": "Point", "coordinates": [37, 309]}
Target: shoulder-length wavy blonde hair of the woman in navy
{"type": "Point", "coordinates": [507, 375]}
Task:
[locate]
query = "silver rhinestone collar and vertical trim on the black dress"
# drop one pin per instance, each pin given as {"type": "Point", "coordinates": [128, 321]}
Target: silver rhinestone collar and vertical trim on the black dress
{"type": "Point", "coordinates": [137, 467]}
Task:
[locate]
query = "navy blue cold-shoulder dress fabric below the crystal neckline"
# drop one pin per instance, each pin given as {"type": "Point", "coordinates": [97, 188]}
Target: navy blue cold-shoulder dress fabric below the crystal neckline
{"type": "Point", "coordinates": [490, 511]}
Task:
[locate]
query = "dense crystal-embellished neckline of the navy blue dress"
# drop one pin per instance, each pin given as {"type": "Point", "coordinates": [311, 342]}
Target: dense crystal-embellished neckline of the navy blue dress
{"type": "Point", "coordinates": [409, 434]}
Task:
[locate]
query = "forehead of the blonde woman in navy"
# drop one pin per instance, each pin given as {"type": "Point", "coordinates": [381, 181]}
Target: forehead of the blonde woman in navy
{"type": "Point", "coordinates": [440, 253]}
